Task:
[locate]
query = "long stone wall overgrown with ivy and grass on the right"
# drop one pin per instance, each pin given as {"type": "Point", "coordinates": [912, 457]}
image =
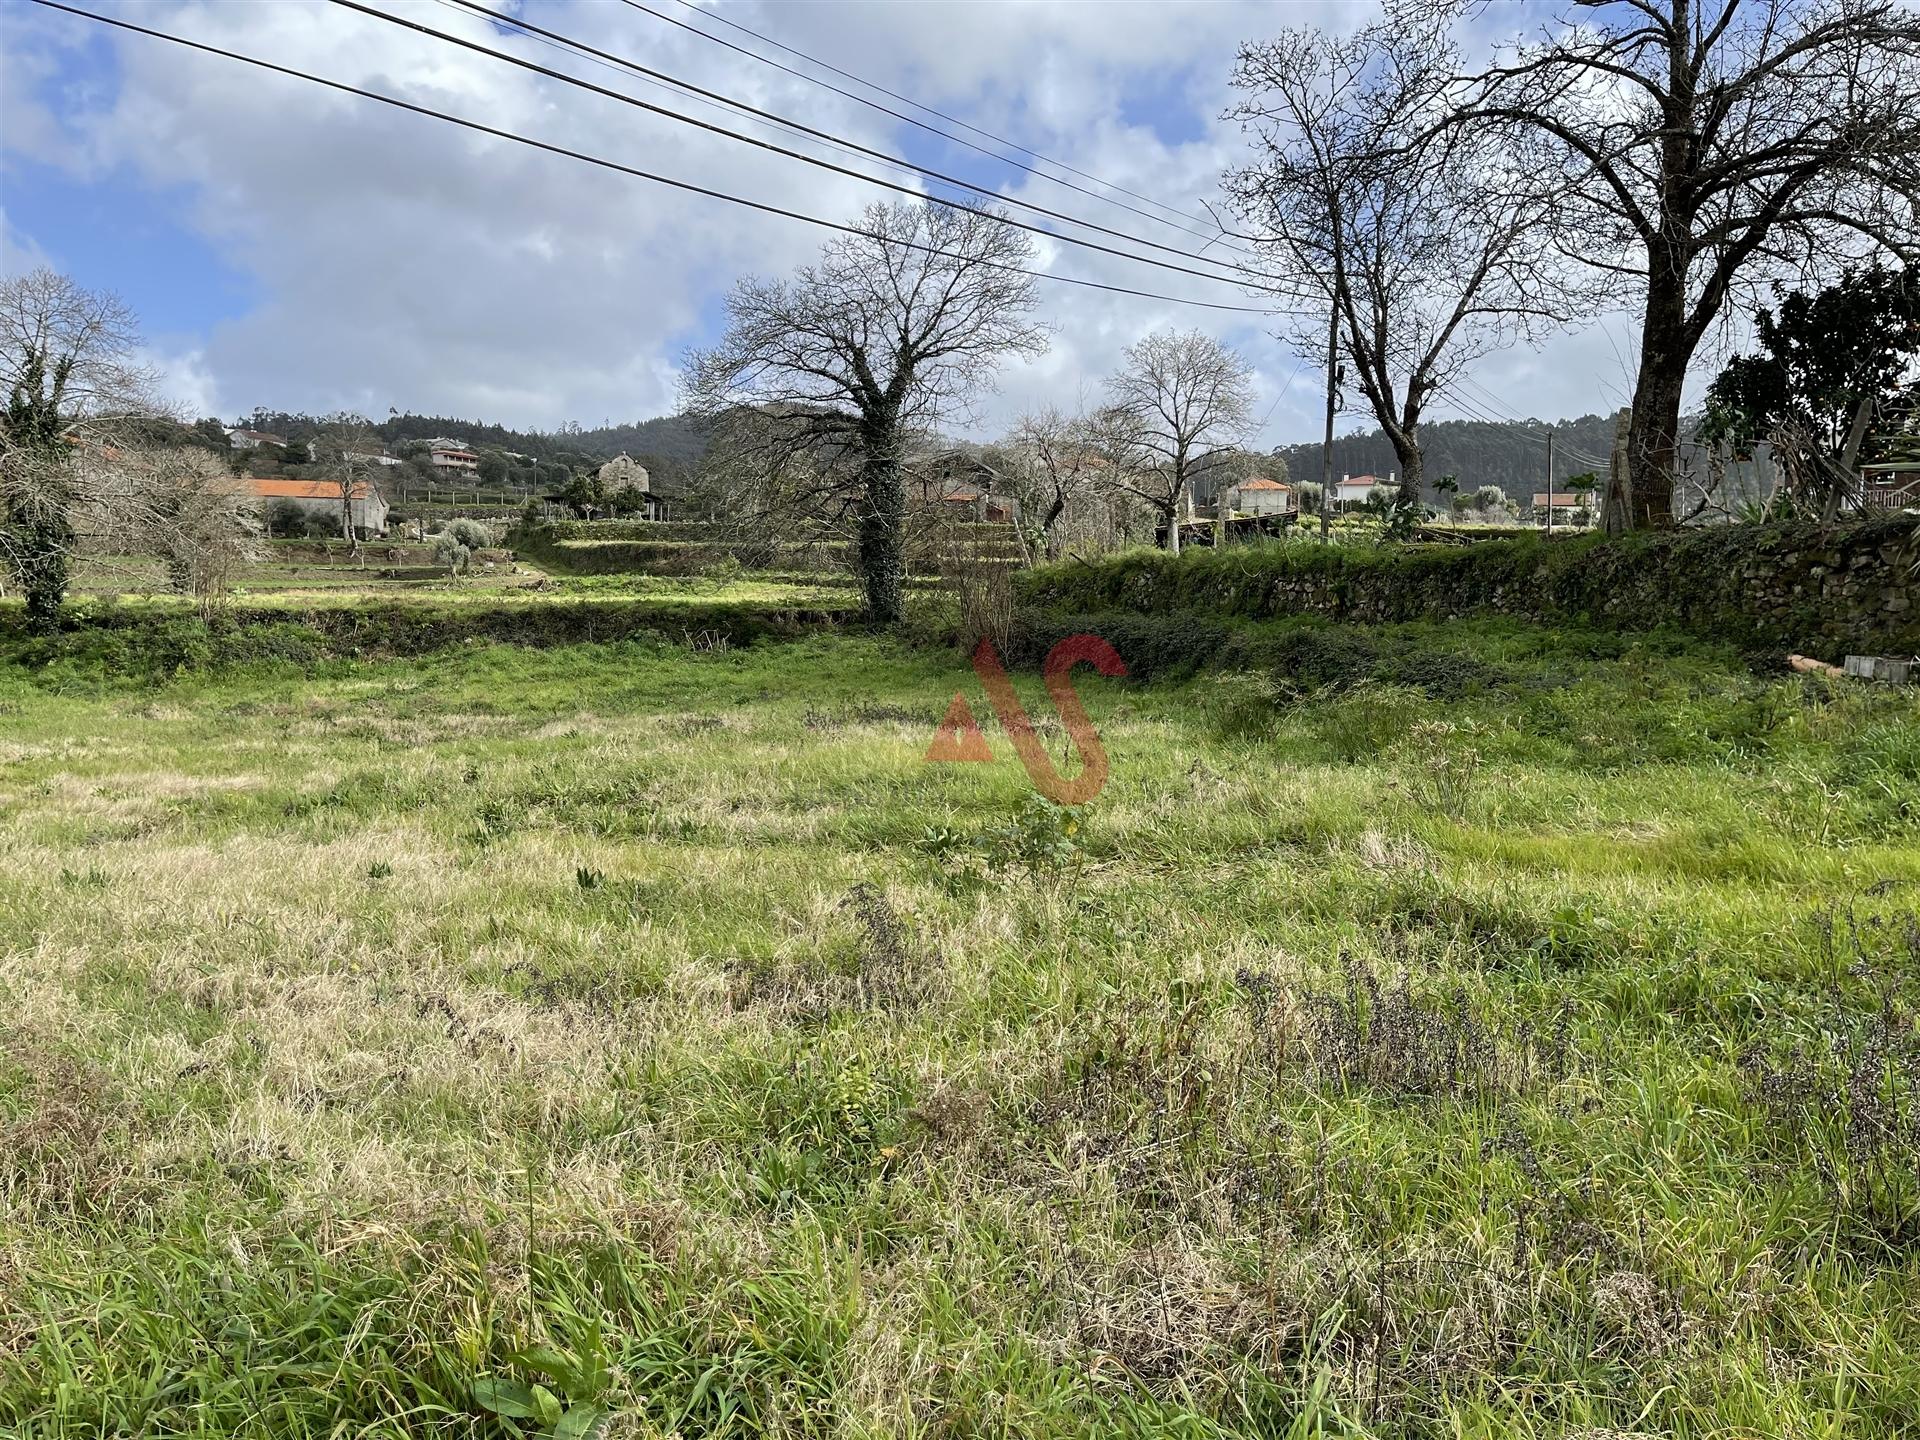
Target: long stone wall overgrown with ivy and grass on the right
{"type": "Point", "coordinates": [1790, 587]}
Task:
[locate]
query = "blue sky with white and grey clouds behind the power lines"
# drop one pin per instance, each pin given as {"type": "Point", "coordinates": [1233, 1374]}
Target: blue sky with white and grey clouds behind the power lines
{"type": "Point", "coordinates": [299, 249]}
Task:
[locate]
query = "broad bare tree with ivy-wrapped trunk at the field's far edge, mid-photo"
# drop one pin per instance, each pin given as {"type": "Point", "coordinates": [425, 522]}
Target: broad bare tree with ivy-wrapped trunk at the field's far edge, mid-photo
{"type": "Point", "coordinates": [896, 329]}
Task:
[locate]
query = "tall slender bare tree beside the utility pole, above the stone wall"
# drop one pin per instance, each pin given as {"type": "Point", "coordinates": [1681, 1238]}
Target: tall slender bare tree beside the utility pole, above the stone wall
{"type": "Point", "coordinates": [1428, 262]}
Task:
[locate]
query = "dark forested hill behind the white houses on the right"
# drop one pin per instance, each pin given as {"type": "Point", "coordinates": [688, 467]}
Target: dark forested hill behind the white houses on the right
{"type": "Point", "coordinates": [1474, 452]}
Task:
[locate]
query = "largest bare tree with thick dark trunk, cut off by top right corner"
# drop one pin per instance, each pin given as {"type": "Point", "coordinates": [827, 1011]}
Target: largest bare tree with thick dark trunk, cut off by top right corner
{"type": "Point", "coordinates": [1706, 147]}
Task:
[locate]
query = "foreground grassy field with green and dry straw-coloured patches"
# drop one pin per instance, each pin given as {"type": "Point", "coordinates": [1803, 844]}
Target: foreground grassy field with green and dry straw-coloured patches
{"type": "Point", "coordinates": [625, 1036]}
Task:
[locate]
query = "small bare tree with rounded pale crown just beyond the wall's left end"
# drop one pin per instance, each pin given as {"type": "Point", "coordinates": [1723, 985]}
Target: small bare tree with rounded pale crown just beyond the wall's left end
{"type": "Point", "coordinates": [1186, 404]}
